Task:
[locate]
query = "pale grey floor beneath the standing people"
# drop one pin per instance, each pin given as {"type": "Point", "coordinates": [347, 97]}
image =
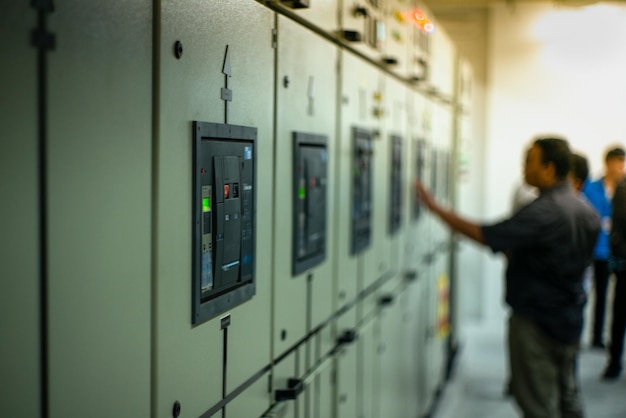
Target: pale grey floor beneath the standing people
{"type": "Point", "coordinates": [477, 388]}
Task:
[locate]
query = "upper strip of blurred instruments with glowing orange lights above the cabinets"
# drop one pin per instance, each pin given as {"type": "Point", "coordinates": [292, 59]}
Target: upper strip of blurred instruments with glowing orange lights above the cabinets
{"type": "Point", "coordinates": [402, 35]}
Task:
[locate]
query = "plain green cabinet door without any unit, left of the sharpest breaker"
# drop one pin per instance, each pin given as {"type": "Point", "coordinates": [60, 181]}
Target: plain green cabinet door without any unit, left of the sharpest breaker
{"type": "Point", "coordinates": [100, 205]}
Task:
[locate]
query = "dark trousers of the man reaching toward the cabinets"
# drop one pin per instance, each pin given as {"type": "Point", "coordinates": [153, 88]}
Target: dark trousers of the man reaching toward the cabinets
{"type": "Point", "coordinates": [542, 372]}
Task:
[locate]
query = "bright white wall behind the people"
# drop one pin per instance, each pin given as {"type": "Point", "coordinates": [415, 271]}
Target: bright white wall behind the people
{"type": "Point", "coordinates": [551, 70]}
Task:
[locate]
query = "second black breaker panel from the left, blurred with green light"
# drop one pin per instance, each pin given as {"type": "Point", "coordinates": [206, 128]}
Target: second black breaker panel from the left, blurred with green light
{"type": "Point", "coordinates": [309, 201]}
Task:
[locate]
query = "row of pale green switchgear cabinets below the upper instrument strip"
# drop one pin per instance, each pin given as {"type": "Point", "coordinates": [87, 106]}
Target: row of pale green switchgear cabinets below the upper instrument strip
{"type": "Point", "coordinates": [128, 241]}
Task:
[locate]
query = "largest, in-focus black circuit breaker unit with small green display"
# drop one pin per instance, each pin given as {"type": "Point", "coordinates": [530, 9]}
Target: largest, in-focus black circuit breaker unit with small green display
{"type": "Point", "coordinates": [224, 212]}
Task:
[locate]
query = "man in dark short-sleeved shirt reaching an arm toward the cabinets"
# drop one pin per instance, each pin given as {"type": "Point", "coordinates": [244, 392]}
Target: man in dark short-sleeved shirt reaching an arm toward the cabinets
{"type": "Point", "coordinates": [550, 244]}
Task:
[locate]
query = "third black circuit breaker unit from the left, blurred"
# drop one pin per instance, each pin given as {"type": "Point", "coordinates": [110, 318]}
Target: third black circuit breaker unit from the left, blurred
{"type": "Point", "coordinates": [361, 189]}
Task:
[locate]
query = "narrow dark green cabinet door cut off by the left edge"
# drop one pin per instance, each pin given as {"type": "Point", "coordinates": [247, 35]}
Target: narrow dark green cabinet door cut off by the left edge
{"type": "Point", "coordinates": [19, 215]}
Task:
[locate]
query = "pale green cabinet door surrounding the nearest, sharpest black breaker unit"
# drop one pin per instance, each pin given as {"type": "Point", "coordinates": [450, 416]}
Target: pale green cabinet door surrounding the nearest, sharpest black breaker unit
{"type": "Point", "coordinates": [216, 59]}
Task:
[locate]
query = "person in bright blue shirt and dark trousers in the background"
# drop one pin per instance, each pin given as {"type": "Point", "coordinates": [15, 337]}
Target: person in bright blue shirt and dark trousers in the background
{"type": "Point", "coordinates": [600, 193]}
